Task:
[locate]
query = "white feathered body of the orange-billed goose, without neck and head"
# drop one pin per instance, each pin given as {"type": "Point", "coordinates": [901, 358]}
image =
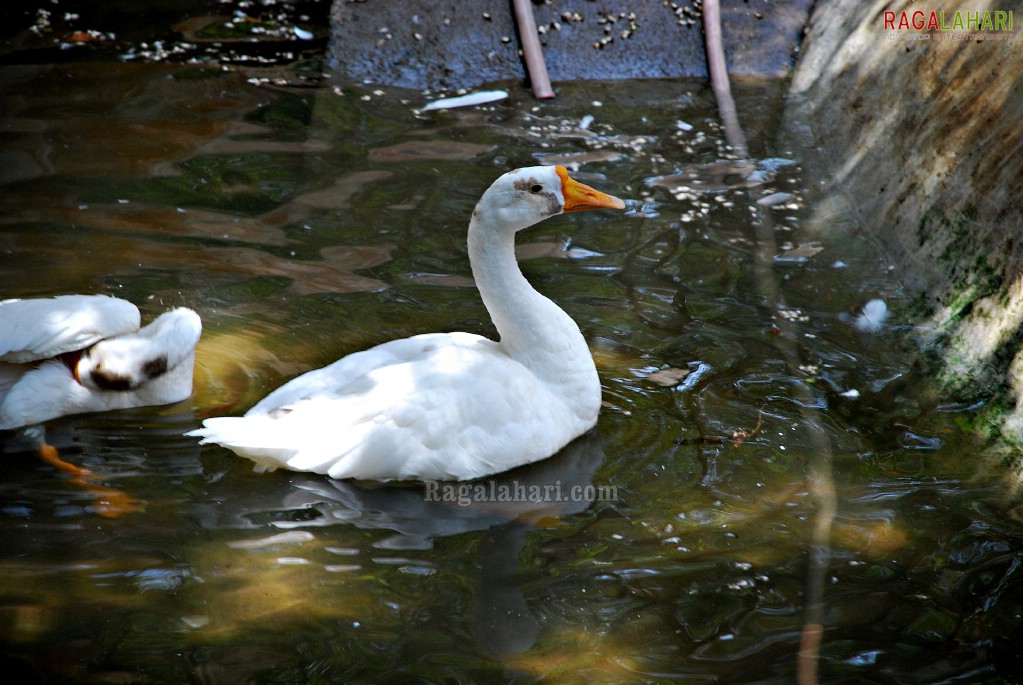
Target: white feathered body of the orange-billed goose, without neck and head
{"type": "Point", "coordinates": [439, 406]}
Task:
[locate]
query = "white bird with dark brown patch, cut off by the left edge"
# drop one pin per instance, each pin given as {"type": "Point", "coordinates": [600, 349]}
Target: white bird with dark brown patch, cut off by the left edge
{"type": "Point", "coordinates": [77, 354]}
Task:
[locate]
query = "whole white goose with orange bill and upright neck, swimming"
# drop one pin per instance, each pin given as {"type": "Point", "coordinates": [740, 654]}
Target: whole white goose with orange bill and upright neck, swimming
{"type": "Point", "coordinates": [446, 406]}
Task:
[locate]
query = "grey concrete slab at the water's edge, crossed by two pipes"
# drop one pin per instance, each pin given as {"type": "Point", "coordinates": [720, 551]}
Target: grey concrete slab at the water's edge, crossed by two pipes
{"type": "Point", "coordinates": [450, 44]}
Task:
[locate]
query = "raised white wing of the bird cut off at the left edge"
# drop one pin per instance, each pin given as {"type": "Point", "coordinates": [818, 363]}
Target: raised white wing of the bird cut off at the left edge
{"type": "Point", "coordinates": [40, 329]}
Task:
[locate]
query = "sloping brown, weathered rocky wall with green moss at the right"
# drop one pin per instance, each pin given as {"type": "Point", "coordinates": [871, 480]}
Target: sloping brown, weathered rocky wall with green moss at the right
{"type": "Point", "coordinates": [918, 110]}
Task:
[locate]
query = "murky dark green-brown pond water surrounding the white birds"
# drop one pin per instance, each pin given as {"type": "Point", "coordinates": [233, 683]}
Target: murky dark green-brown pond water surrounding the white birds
{"type": "Point", "coordinates": [761, 467]}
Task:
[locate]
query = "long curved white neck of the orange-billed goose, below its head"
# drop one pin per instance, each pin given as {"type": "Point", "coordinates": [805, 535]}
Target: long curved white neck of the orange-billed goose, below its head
{"type": "Point", "coordinates": [533, 331]}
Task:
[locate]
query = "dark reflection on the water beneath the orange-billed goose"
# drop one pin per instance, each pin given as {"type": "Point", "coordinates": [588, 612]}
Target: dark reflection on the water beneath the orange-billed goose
{"type": "Point", "coordinates": [507, 507]}
